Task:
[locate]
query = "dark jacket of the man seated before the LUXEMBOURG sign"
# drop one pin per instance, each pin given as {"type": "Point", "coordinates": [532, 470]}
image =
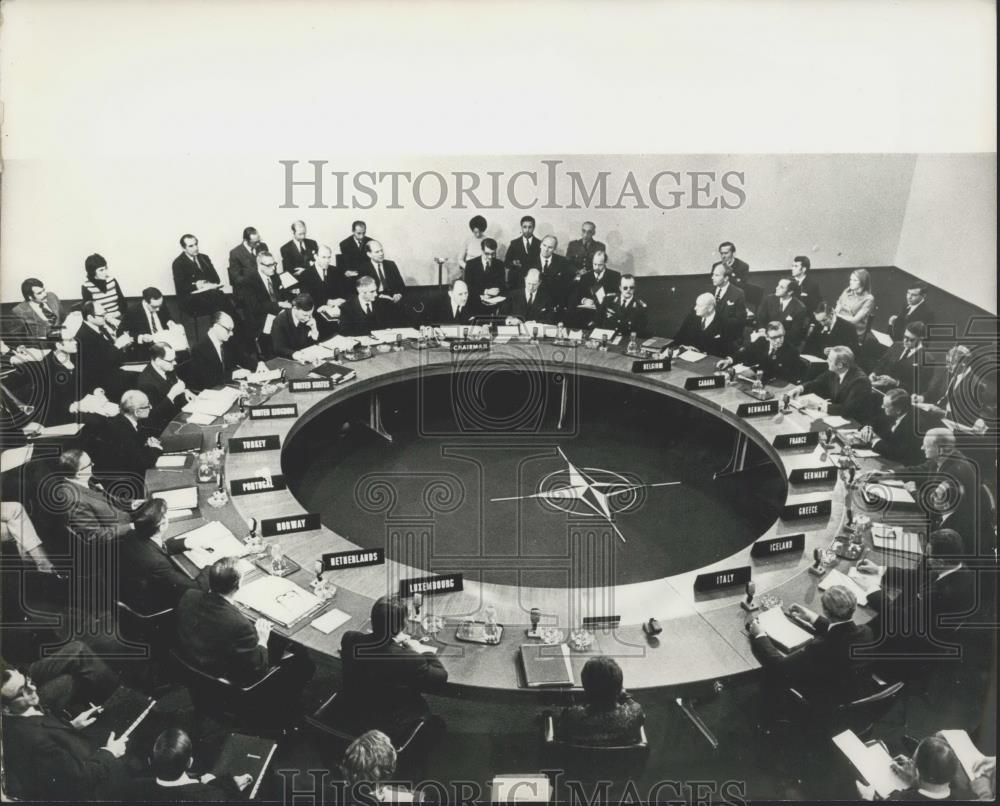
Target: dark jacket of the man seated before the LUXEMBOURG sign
{"type": "Point", "coordinates": [384, 681]}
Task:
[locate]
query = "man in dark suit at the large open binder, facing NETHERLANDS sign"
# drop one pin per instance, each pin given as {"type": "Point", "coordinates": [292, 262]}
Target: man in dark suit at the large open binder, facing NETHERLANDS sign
{"type": "Point", "coordinates": [215, 637]}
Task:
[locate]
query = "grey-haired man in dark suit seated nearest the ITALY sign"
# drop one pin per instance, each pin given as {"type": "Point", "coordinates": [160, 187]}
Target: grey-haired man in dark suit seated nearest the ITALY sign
{"type": "Point", "coordinates": [824, 665]}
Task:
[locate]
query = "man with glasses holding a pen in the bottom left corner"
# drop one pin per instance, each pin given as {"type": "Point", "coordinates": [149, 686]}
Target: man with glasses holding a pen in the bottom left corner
{"type": "Point", "coordinates": [46, 758]}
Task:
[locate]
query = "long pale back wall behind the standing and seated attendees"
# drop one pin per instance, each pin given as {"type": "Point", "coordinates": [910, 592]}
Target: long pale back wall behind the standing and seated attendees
{"type": "Point", "coordinates": [841, 210]}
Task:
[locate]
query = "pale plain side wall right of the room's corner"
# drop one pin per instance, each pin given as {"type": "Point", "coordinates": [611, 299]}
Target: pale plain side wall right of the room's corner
{"type": "Point", "coordinates": [949, 235]}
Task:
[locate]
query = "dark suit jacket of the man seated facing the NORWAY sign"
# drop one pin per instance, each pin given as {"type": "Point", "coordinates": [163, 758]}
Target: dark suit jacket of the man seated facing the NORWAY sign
{"type": "Point", "coordinates": [149, 581]}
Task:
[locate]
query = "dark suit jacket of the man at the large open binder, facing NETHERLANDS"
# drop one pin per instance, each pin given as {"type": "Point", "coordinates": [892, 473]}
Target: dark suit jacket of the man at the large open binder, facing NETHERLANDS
{"type": "Point", "coordinates": [217, 638]}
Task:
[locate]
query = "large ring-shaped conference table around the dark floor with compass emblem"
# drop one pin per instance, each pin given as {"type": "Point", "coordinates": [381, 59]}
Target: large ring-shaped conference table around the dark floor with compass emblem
{"type": "Point", "coordinates": [703, 636]}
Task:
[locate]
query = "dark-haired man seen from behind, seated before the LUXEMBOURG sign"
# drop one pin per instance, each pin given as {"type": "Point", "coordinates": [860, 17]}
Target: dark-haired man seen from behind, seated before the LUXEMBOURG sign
{"type": "Point", "coordinates": [386, 672]}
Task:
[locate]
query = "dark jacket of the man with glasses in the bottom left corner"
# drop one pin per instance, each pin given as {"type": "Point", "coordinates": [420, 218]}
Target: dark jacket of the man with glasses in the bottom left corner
{"type": "Point", "coordinates": [47, 759]}
